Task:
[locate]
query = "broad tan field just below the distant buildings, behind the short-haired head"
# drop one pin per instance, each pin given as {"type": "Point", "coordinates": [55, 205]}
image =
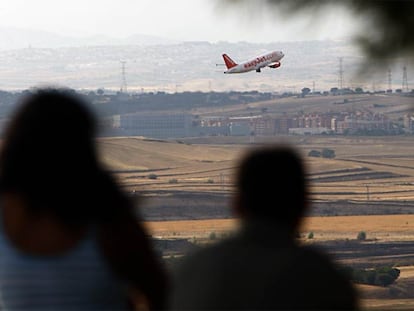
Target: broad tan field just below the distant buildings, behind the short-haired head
{"type": "Point", "coordinates": [374, 169]}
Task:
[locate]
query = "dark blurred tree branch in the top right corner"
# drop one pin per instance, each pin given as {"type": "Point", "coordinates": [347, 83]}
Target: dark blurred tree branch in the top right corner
{"type": "Point", "coordinates": [389, 31]}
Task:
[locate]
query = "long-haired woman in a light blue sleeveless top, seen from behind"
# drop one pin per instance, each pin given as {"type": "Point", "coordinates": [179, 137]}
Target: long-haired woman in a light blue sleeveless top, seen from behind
{"type": "Point", "coordinates": [69, 237]}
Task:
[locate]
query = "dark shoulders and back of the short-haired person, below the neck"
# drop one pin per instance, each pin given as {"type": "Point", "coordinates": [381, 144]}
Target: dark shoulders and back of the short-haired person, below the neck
{"type": "Point", "coordinates": [241, 274]}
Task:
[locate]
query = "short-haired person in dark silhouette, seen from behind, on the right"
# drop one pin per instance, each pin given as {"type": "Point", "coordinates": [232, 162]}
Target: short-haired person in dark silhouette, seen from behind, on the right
{"type": "Point", "coordinates": [263, 267]}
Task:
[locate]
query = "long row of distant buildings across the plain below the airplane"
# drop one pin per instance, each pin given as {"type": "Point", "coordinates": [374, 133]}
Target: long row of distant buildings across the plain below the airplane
{"type": "Point", "coordinates": [175, 125]}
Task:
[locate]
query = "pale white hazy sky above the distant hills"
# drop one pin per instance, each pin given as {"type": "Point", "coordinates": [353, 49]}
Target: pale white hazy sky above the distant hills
{"type": "Point", "coordinates": [175, 19]}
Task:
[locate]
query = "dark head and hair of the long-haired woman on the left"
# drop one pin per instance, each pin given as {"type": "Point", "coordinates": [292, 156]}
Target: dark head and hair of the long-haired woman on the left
{"type": "Point", "coordinates": [48, 156]}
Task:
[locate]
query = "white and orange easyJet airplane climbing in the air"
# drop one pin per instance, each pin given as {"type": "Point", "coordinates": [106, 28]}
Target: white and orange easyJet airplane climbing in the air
{"type": "Point", "coordinates": [270, 59]}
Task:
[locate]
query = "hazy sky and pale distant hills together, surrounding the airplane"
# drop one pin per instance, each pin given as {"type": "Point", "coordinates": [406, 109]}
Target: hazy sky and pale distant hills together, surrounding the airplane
{"type": "Point", "coordinates": [176, 48]}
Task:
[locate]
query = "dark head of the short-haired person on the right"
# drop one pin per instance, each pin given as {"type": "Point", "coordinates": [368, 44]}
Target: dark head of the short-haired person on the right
{"type": "Point", "coordinates": [271, 186]}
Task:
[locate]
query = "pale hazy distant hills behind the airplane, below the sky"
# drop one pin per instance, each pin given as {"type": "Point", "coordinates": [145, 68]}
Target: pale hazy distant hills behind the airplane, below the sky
{"type": "Point", "coordinates": [157, 64]}
